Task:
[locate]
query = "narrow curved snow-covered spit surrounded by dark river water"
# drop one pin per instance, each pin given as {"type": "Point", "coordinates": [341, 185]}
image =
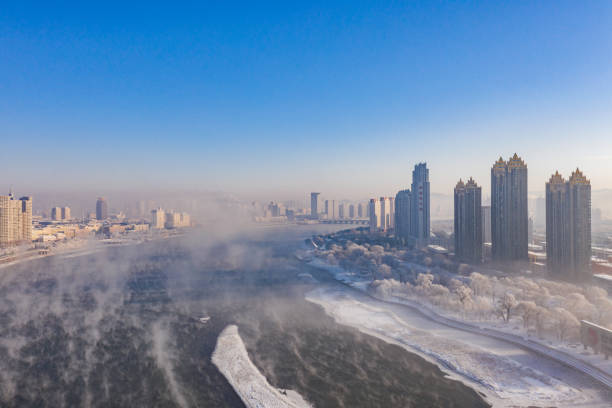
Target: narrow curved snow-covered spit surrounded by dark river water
{"type": "Point", "coordinates": [231, 358]}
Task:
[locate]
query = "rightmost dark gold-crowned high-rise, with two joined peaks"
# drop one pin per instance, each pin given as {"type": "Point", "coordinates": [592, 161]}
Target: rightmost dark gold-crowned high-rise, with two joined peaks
{"type": "Point", "coordinates": [568, 225]}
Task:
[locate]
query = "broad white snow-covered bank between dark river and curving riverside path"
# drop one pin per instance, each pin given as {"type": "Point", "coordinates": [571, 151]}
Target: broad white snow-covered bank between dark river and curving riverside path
{"type": "Point", "coordinates": [508, 375]}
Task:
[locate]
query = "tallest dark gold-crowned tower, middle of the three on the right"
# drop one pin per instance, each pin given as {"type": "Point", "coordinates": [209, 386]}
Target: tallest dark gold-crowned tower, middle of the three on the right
{"type": "Point", "coordinates": [509, 213]}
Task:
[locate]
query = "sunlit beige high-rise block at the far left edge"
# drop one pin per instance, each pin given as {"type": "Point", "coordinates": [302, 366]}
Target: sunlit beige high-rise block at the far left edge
{"type": "Point", "coordinates": [15, 220]}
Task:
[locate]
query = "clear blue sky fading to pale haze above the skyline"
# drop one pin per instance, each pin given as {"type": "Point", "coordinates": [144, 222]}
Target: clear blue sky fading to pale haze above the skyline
{"type": "Point", "coordinates": [287, 97]}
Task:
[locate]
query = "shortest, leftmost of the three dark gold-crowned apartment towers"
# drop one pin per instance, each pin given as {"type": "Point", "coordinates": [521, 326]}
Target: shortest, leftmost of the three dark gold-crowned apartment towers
{"type": "Point", "coordinates": [468, 221]}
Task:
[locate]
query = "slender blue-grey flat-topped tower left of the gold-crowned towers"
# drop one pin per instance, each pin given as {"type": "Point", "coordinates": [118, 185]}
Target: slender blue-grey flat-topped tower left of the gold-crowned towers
{"type": "Point", "coordinates": [420, 220]}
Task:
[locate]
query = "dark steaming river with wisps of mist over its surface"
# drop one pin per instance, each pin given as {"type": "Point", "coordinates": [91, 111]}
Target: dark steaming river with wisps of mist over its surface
{"type": "Point", "coordinates": [120, 328]}
